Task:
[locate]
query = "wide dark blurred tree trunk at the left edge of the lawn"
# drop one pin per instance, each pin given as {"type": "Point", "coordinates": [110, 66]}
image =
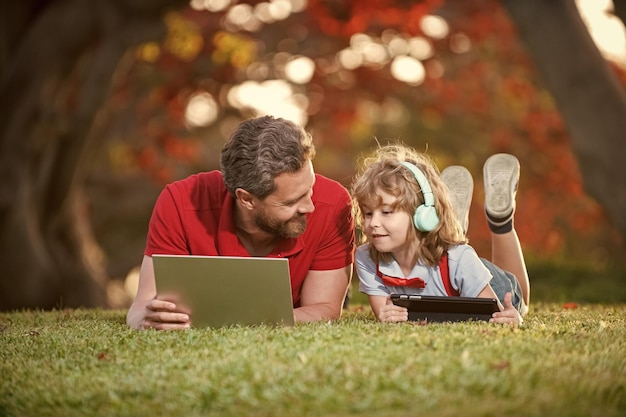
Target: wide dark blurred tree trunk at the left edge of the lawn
{"type": "Point", "coordinates": [58, 59]}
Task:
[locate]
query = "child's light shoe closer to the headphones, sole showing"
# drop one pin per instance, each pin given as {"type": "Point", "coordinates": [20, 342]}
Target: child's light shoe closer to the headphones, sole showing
{"type": "Point", "coordinates": [461, 186]}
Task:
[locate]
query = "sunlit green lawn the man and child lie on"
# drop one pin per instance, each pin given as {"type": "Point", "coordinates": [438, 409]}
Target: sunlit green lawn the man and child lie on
{"type": "Point", "coordinates": [563, 362]}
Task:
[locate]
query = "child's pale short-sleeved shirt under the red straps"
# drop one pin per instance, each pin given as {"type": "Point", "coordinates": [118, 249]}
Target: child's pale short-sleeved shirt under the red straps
{"type": "Point", "coordinates": [467, 272]}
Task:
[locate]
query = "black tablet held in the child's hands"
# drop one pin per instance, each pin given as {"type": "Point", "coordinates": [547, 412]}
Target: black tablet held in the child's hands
{"type": "Point", "coordinates": [446, 309]}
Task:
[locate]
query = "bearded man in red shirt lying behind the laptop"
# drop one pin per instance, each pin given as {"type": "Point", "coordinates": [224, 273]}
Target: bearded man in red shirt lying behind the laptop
{"type": "Point", "coordinates": [266, 201]}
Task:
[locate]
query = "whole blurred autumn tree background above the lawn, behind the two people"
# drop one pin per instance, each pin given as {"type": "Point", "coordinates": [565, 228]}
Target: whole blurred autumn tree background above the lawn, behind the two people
{"type": "Point", "coordinates": [104, 102]}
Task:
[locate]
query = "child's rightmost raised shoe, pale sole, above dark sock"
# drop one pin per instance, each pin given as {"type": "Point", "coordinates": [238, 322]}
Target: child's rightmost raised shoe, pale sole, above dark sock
{"type": "Point", "coordinates": [501, 176]}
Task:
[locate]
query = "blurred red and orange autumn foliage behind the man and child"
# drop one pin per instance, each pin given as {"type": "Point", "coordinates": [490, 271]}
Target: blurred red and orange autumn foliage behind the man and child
{"type": "Point", "coordinates": [487, 100]}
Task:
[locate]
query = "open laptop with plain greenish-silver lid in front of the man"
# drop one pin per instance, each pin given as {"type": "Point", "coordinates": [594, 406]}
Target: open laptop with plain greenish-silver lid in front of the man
{"type": "Point", "coordinates": [222, 291]}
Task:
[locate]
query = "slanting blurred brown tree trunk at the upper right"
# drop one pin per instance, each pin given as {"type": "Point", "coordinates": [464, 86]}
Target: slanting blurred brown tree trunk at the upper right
{"type": "Point", "coordinates": [587, 93]}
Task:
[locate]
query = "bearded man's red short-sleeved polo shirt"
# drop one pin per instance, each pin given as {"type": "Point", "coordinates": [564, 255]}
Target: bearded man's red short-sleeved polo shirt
{"type": "Point", "coordinates": [194, 216]}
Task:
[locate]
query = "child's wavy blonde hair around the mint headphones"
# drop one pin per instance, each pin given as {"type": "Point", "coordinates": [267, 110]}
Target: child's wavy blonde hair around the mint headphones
{"type": "Point", "coordinates": [383, 170]}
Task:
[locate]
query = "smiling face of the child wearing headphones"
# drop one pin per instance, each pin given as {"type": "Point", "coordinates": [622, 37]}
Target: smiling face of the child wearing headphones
{"type": "Point", "coordinates": [385, 225]}
